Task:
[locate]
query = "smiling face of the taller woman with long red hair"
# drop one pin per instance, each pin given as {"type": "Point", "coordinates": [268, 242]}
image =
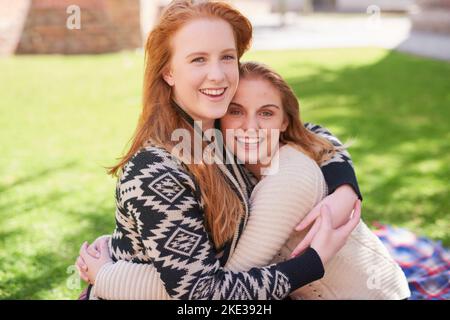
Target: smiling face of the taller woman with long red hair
{"type": "Point", "coordinates": [203, 70]}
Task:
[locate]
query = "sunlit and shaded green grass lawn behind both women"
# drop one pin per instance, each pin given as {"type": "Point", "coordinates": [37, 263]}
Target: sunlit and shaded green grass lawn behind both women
{"type": "Point", "coordinates": [63, 119]}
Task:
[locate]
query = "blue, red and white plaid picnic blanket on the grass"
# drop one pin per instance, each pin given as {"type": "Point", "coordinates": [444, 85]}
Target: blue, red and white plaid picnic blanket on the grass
{"type": "Point", "coordinates": [426, 263]}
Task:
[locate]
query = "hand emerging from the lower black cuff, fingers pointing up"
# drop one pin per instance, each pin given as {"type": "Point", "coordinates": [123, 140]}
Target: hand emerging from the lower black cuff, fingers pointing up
{"type": "Point", "coordinates": [326, 239]}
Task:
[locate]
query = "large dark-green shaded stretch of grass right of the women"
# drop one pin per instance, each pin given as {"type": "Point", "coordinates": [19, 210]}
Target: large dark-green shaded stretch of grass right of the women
{"type": "Point", "coordinates": [398, 111]}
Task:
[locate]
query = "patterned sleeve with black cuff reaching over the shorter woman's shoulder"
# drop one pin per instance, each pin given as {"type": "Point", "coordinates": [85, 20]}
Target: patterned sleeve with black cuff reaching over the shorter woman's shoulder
{"type": "Point", "coordinates": [339, 169]}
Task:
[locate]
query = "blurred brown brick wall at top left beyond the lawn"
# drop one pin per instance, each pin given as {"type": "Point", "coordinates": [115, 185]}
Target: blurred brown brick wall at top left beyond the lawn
{"type": "Point", "coordinates": [105, 26]}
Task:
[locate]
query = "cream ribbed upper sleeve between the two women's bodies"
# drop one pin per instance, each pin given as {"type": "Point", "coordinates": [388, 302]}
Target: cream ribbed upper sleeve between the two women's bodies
{"type": "Point", "coordinates": [275, 211]}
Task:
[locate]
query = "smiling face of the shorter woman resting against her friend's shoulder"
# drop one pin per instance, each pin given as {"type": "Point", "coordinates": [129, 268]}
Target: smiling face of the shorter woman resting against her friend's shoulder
{"type": "Point", "coordinates": [256, 117]}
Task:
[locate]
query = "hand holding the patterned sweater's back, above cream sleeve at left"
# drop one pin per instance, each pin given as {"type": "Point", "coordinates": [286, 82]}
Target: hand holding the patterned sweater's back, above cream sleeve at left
{"type": "Point", "coordinates": [92, 258]}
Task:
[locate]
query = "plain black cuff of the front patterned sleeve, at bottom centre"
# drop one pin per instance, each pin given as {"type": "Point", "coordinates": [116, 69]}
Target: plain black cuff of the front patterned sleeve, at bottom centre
{"type": "Point", "coordinates": [303, 269]}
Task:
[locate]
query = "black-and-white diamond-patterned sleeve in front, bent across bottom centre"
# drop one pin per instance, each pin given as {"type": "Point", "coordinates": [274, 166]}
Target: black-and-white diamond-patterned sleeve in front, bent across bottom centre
{"type": "Point", "coordinates": [159, 197]}
